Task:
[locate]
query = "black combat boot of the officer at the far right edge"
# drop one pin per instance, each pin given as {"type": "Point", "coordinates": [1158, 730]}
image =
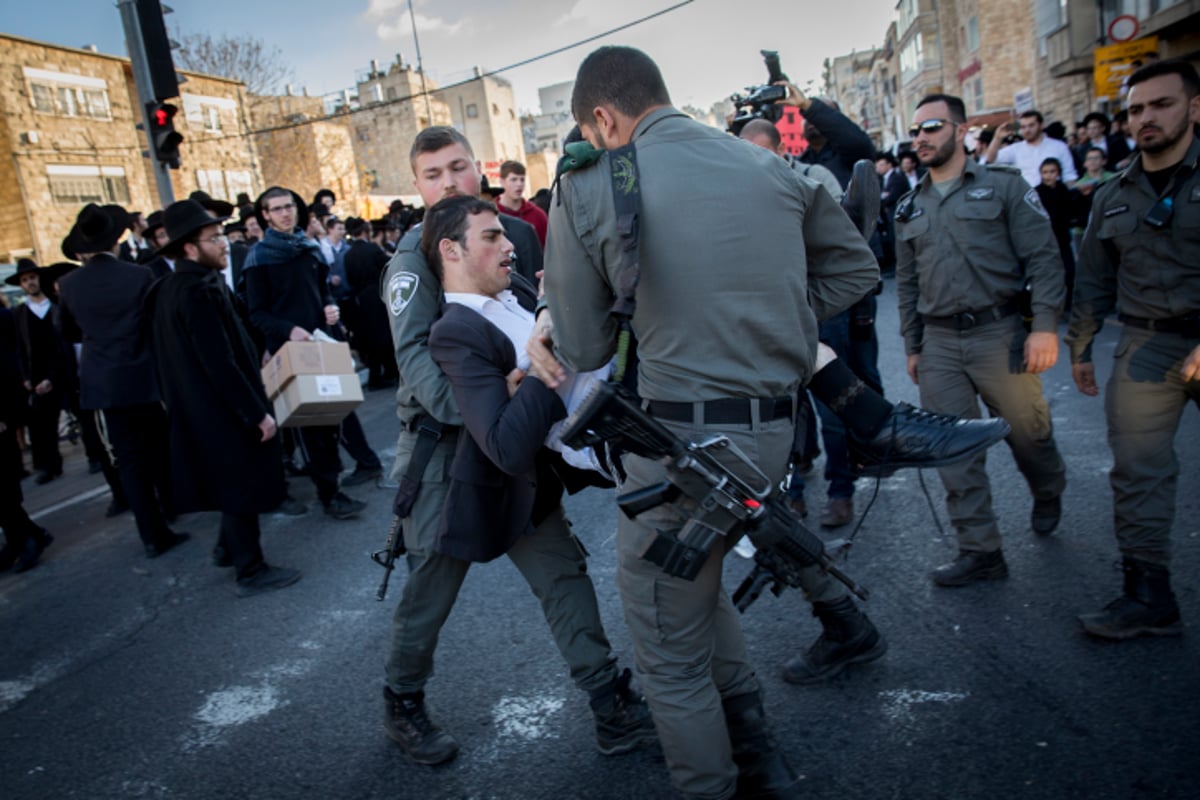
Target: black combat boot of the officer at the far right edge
{"type": "Point", "coordinates": [1147, 609]}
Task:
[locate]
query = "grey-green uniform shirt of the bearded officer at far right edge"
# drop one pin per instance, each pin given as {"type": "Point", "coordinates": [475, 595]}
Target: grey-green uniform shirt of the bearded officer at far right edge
{"type": "Point", "coordinates": [1129, 266]}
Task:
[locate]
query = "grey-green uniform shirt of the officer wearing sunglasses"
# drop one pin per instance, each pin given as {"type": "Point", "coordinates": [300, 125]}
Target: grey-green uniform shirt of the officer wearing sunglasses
{"type": "Point", "coordinates": [974, 250]}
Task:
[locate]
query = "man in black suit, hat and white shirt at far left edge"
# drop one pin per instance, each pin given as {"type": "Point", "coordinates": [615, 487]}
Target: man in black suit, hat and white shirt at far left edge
{"type": "Point", "coordinates": [44, 363]}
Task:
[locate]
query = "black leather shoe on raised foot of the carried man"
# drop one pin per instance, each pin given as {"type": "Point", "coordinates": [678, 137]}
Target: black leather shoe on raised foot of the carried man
{"type": "Point", "coordinates": [914, 437]}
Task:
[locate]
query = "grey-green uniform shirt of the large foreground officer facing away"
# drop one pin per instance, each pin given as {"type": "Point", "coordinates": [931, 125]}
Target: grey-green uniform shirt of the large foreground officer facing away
{"type": "Point", "coordinates": [740, 260]}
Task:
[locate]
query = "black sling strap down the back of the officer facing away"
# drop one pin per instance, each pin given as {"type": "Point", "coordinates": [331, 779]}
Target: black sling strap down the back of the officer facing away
{"type": "Point", "coordinates": [627, 200]}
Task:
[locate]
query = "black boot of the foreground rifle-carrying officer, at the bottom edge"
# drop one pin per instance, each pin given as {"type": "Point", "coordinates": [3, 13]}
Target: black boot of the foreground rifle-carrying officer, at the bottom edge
{"type": "Point", "coordinates": [763, 771]}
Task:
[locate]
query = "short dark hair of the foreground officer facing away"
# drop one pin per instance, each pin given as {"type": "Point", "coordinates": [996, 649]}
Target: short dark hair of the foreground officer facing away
{"type": "Point", "coordinates": [622, 77]}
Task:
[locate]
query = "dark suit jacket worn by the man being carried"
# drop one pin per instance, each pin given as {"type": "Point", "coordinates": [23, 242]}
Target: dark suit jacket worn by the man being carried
{"type": "Point", "coordinates": [502, 480]}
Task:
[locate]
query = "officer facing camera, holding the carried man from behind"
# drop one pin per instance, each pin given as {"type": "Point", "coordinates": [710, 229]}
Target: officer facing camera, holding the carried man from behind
{"type": "Point", "coordinates": [549, 558]}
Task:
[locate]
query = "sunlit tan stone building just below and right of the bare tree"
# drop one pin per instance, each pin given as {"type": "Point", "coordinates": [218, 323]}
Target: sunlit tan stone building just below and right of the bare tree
{"type": "Point", "coordinates": [303, 149]}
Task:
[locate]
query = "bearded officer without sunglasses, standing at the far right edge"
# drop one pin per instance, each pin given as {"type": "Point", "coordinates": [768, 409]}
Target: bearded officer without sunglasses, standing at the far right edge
{"type": "Point", "coordinates": [1139, 257]}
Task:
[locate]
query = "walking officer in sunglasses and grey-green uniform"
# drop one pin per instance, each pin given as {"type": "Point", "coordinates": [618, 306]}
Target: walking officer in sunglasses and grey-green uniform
{"type": "Point", "coordinates": [969, 238]}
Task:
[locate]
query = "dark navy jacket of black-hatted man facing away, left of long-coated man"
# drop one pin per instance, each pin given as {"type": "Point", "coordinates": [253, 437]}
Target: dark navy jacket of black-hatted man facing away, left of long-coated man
{"type": "Point", "coordinates": [104, 306]}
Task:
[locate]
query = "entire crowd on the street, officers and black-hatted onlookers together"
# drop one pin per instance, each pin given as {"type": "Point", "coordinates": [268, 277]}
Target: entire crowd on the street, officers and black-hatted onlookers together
{"type": "Point", "coordinates": [451, 306]}
